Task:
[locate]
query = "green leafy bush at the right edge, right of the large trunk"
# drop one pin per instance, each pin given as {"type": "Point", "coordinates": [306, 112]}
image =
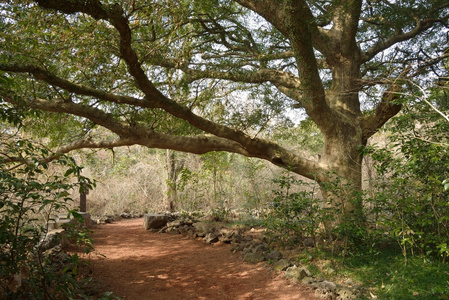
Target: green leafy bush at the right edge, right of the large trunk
{"type": "Point", "coordinates": [411, 203]}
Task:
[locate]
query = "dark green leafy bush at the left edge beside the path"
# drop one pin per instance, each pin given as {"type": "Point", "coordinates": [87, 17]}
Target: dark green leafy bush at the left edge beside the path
{"type": "Point", "coordinates": [31, 191]}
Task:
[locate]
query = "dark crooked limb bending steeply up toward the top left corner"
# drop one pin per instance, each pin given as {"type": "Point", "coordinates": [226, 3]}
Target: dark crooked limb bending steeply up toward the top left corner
{"type": "Point", "coordinates": [259, 148]}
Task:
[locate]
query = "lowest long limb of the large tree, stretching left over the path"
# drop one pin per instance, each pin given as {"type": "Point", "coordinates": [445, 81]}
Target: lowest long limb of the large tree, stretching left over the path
{"type": "Point", "coordinates": [200, 144]}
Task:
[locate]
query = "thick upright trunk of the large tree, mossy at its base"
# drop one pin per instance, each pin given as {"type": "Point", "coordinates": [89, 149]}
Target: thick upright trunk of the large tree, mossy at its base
{"type": "Point", "coordinates": [342, 185]}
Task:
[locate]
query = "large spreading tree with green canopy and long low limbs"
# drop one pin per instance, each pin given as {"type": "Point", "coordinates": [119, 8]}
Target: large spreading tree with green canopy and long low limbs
{"type": "Point", "coordinates": [135, 66]}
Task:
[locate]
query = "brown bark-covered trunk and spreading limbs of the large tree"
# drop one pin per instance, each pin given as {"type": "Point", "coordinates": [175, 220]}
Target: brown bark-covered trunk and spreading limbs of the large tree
{"type": "Point", "coordinates": [335, 108]}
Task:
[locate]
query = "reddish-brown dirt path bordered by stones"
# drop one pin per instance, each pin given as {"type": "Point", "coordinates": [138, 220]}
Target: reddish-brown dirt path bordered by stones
{"type": "Point", "coordinates": [143, 265]}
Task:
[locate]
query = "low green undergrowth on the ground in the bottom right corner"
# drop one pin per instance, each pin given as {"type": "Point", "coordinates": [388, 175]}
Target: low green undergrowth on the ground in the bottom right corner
{"type": "Point", "coordinates": [383, 274]}
